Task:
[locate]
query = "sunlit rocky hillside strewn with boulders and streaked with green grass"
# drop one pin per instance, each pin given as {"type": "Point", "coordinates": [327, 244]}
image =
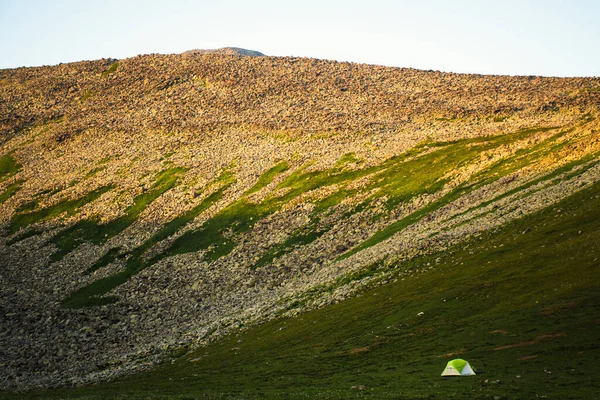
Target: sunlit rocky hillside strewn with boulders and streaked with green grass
{"type": "Point", "coordinates": [152, 204]}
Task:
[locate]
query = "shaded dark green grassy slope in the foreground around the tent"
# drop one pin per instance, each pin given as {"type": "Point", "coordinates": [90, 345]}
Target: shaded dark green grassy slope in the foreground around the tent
{"type": "Point", "coordinates": [521, 304]}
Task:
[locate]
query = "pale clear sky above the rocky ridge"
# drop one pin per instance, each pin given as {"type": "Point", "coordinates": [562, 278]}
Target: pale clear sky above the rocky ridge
{"type": "Point", "coordinates": [546, 37]}
